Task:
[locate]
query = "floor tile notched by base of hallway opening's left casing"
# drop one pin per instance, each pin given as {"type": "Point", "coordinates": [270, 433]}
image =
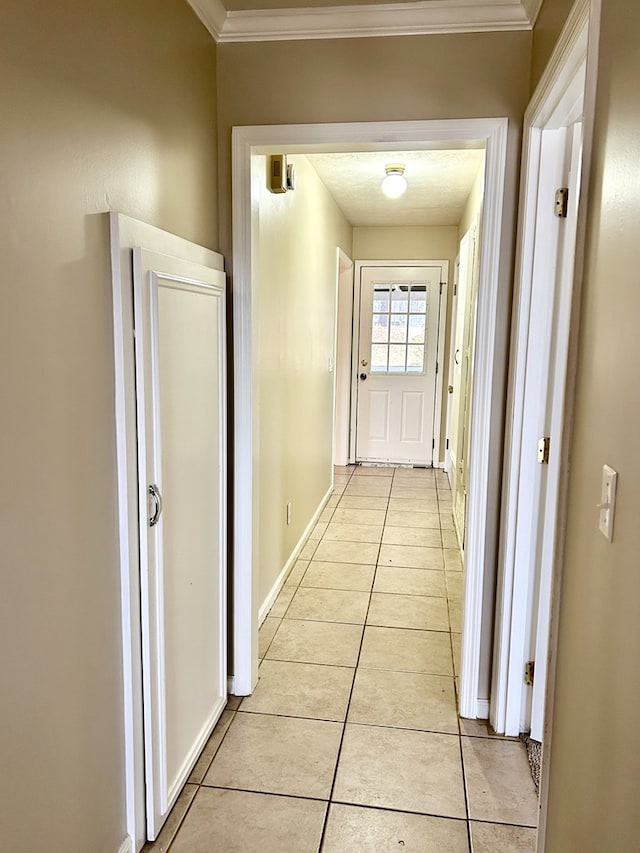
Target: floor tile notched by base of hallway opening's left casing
{"type": "Point", "coordinates": [301, 690]}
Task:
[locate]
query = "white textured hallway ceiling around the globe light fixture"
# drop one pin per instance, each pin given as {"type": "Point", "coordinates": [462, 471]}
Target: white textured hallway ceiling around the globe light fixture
{"type": "Point", "coordinates": [439, 185]}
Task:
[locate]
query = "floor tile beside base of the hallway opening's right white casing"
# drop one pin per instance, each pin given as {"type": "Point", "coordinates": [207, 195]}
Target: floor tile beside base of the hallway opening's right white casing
{"type": "Point", "coordinates": [404, 700]}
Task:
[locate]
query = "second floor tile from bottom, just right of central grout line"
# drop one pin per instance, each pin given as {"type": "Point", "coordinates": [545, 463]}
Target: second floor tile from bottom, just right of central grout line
{"type": "Point", "coordinates": [401, 769]}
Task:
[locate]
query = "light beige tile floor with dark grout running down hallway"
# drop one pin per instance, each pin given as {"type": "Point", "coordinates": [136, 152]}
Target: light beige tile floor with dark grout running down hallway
{"type": "Point", "coordinates": [351, 740]}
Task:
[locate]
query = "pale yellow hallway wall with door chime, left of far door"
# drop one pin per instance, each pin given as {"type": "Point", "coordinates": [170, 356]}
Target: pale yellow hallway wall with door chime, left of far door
{"type": "Point", "coordinates": [294, 277]}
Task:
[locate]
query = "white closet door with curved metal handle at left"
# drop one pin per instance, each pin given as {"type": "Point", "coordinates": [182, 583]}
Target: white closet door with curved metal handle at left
{"type": "Point", "coordinates": [180, 377]}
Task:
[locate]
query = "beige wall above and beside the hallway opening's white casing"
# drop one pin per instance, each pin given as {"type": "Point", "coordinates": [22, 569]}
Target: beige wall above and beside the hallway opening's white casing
{"type": "Point", "coordinates": [387, 79]}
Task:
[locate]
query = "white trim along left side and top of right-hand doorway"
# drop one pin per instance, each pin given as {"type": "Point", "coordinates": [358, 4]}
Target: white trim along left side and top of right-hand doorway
{"type": "Point", "coordinates": [512, 598]}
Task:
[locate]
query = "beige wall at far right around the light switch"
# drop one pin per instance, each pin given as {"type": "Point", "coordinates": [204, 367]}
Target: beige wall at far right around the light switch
{"type": "Point", "coordinates": [594, 760]}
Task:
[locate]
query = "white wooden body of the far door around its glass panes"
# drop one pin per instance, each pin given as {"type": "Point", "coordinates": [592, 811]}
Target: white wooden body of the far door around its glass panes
{"type": "Point", "coordinates": [395, 410]}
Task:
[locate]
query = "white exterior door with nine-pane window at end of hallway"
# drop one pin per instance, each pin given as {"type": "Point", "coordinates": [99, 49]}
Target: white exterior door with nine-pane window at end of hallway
{"type": "Point", "coordinates": [396, 363]}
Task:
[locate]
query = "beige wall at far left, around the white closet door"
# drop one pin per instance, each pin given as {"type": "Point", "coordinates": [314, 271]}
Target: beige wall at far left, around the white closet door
{"type": "Point", "coordinates": [104, 104]}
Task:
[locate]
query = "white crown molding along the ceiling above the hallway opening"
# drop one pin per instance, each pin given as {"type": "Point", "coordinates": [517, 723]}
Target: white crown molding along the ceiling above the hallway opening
{"type": "Point", "coordinates": [389, 19]}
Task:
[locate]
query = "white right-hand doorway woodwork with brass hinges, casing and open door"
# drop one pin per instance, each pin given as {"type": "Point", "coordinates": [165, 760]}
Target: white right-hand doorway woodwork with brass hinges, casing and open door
{"type": "Point", "coordinates": [545, 286]}
